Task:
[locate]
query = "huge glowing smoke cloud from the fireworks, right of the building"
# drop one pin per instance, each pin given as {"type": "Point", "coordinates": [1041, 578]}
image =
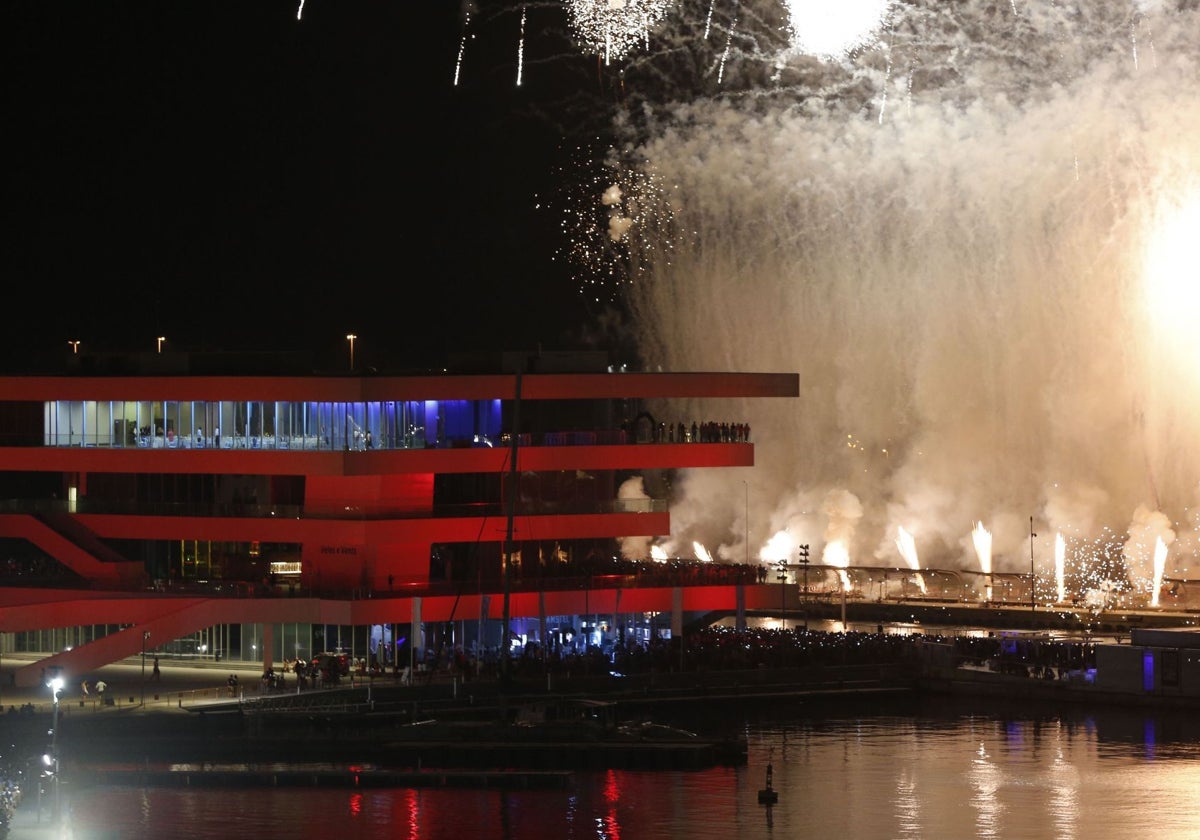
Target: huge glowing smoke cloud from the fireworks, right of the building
{"type": "Point", "coordinates": [944, 236]}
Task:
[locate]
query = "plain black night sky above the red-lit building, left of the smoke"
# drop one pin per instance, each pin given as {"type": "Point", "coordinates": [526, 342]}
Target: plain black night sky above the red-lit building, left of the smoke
{"type": "Point", "coordinates": [230, 178]}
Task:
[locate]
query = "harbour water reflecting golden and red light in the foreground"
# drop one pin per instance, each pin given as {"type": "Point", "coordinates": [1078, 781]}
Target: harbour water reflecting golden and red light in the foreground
{"type": "Point", "coordinates": [933, 771]}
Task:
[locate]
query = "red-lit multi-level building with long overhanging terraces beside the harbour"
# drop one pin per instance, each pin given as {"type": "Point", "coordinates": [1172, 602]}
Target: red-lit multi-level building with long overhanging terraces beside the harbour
{"type": "Point", "coordinates": [262, 517]}
